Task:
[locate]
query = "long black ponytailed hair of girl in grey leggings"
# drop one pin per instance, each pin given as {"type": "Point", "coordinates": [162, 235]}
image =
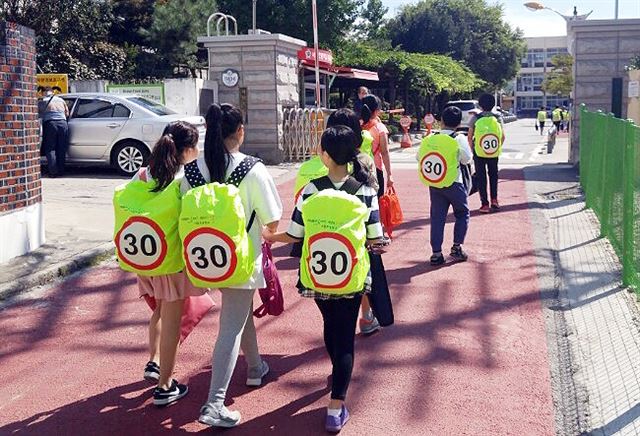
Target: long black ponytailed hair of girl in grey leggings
{"type": "Point", "coordinates": [222, 122]}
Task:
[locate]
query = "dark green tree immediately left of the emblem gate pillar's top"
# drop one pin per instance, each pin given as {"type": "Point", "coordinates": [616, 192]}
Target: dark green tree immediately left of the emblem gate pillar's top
{"type": "Point", "coordinates": [173, 33]}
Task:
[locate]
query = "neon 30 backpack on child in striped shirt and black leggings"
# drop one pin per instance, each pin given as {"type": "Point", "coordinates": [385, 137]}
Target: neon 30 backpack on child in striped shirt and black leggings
{"type": "Point", "coordinates": [334, 257]}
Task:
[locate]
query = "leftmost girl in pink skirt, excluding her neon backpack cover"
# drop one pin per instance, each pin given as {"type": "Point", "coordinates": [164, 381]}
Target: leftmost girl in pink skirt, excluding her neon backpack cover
{"type": "Point", "coordinates": [177, 146]}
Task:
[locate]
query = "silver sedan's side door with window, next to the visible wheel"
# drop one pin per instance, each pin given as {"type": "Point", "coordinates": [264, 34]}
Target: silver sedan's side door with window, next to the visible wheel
{"type": "Point", "coordinates": [94, 125]}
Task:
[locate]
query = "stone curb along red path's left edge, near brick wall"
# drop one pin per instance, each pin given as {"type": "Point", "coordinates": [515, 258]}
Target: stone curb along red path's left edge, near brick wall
{"type": "Point", "coordinates": [57, 270]}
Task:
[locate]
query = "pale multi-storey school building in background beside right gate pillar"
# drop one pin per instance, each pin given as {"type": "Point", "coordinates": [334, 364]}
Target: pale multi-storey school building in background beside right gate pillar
{"type": "Point", "coordinates": [535, 66]}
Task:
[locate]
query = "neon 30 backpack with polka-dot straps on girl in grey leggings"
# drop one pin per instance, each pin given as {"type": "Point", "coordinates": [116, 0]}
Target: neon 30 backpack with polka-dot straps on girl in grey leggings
{"type": "Point", "coordinates": [214, 228]}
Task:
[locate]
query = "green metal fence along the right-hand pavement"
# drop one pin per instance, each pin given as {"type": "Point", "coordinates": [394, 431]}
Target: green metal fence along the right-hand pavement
{"type": "Point", "coordinates": [610, 178]}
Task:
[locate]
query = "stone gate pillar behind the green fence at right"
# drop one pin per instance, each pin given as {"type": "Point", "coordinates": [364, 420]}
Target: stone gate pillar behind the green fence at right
{"type": "Point", "coordinates": [601, 49]}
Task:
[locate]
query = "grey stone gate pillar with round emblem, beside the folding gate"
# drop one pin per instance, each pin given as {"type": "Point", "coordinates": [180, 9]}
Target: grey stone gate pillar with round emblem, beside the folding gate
{"type": "Point", "coordinates": [268, 70]}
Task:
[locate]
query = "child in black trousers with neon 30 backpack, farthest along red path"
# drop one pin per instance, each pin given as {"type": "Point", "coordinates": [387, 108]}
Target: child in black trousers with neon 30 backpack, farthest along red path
{"type": "Point", "coordinates": [486, 136]}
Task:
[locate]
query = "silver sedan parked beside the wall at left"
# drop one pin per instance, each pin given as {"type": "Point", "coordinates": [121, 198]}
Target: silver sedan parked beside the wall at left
{"type": "Point", "coordinates": [119, 131]}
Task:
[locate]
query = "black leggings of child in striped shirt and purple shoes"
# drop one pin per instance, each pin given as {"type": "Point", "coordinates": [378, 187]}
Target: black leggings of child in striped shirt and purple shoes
{"type": "Point", "coordinates": [340, 317]}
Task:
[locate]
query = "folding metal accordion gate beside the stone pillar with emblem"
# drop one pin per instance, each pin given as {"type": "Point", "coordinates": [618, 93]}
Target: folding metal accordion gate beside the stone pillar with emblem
{"type": "Point", "coordinates": [302, 129]}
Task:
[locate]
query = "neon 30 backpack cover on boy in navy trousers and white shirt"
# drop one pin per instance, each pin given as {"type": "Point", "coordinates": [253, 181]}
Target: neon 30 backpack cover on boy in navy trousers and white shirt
{"type": "Point", "coordinates": [438, 161]}
